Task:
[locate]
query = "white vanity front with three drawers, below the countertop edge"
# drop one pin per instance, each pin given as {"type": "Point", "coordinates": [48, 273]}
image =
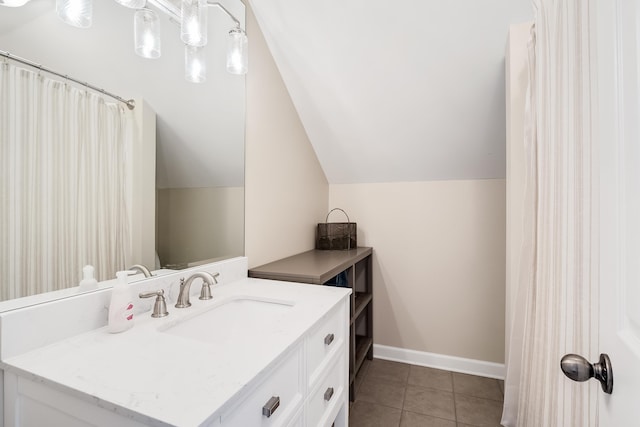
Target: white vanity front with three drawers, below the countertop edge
{"type": "Point", "coordinates": [308, 384]}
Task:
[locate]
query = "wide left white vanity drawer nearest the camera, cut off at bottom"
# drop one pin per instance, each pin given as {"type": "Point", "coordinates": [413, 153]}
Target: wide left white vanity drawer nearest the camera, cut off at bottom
{"type": "Point", "coordinates": [275, 401]}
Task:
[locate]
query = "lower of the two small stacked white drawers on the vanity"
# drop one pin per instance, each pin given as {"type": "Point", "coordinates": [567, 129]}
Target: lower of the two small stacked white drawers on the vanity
{"type": "Point", "coordinates": [326, 400]}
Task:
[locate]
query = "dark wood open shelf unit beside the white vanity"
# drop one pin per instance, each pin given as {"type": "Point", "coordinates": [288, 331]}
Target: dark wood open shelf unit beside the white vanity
{"type": "Point", "coordinates": [318, 267]}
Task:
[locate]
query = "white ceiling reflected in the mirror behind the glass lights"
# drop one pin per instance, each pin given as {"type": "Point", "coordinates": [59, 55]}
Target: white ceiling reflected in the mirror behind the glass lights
{"type": "Point", "coordinates": [200, 127]}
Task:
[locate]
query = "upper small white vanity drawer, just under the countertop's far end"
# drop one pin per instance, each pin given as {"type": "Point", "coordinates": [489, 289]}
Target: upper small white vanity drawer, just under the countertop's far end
{"type": "Point", "coordinates": [325, 341]}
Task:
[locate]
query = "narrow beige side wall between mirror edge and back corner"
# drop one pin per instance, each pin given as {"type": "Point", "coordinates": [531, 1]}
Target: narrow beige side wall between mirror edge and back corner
{"type": "Point", "coordinates": [286, 189]}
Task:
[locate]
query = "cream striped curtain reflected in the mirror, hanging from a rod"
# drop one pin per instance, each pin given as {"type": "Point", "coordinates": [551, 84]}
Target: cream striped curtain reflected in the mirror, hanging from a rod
{"type": "Point", "coordinates": [63, 183]}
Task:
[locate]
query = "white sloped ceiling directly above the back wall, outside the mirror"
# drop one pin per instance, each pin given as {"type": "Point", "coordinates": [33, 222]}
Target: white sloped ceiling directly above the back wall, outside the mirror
{"type": "Point", "coordinates": [403, 90]}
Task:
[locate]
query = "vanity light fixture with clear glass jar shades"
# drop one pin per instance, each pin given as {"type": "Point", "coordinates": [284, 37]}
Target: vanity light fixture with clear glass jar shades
{"type": "Point", "coordinates": [192, 16]}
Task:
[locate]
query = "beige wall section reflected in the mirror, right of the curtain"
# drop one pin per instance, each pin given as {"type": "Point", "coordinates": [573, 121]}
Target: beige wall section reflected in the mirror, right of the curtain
{"type": "Point", "coordinates": [199, 223]}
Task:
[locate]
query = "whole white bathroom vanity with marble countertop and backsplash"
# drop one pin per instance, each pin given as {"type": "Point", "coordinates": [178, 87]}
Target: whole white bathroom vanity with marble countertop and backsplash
{"type": "Point", "coordinates": [260, 353]}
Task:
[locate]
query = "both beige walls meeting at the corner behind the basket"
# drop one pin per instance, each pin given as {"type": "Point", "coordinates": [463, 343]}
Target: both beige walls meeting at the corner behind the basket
{"type": "Point", "coordinates": [439, 246]}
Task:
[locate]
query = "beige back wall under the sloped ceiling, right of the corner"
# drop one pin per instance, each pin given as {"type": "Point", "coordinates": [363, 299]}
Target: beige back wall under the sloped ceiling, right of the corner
{"type": "Point", "coordinates": [438, 263]}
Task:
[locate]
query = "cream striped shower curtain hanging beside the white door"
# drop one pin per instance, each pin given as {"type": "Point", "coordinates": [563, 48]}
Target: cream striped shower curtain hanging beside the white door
{"type": "Point", "coordinates": [556, 295]}
